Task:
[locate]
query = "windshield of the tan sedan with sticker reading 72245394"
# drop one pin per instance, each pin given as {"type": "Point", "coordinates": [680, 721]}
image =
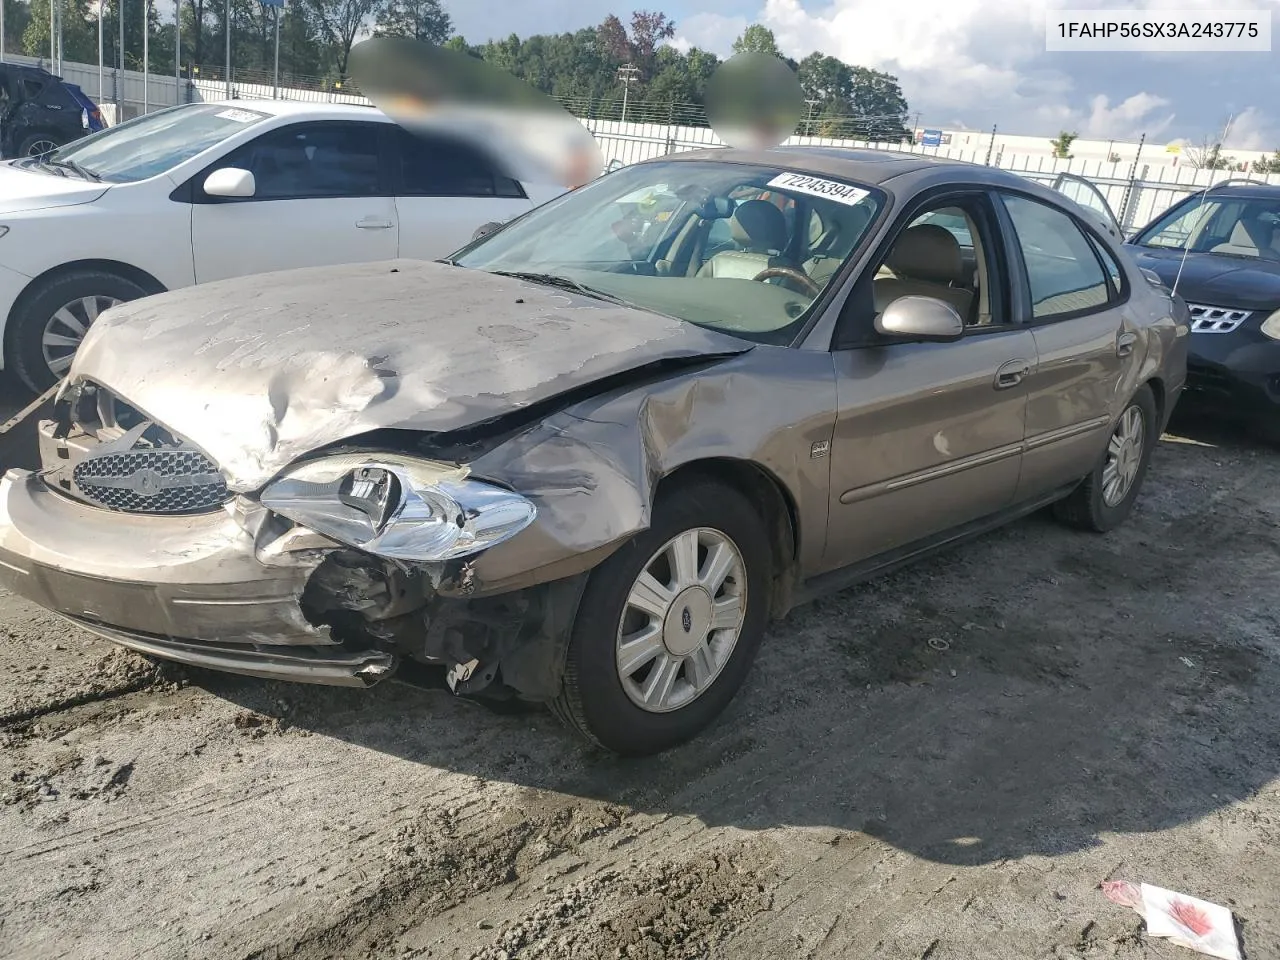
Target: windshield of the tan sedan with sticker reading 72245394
{"type": "Point", "coordinates": [742, 249]}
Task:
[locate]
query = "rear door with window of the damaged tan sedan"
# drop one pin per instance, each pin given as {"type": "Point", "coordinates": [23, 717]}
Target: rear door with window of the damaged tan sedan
{"type": "Point", "coordinates": [1073, 298]}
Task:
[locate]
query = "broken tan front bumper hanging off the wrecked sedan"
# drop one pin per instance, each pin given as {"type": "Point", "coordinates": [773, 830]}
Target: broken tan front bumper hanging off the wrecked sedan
{"type": "Point", "coordinates": [184, 588]}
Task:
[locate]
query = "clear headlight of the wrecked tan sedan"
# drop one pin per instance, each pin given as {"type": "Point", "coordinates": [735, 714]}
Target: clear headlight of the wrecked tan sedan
{"type": "Point", "coordinates": [399, 508]}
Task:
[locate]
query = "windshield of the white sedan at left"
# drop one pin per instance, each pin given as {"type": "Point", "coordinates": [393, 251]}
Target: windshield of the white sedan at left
{"type": "Point", "coordinates": [148, 147]}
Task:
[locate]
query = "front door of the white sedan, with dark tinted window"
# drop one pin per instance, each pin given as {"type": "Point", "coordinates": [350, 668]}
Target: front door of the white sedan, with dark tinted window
{"type": "Point", "coordinates": [323, 198]}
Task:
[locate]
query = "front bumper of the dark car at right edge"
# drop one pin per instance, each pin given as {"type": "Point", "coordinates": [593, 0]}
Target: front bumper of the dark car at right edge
{"type": "Point", "coordinates": [1236, 376]}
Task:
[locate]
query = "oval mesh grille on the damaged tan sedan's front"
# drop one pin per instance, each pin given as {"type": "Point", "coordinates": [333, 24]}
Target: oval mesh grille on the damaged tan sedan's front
{"type": "Point", "coordinates": [158, 481]}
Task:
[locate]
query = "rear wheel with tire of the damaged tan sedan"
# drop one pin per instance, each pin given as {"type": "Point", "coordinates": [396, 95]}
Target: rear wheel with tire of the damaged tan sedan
{"type": "Point", "coordinates": [1107, 497]}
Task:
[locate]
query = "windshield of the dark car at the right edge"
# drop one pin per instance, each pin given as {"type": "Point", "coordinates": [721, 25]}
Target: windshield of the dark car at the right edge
{"type": "Point", "coordinates": [1231, 226]}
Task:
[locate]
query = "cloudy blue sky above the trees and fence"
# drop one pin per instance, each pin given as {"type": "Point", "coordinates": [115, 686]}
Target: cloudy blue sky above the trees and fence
{"type": "Point", "coordinates": [972, 65]}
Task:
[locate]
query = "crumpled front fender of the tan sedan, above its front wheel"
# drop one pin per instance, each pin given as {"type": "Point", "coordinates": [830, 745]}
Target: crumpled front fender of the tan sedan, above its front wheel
{"type": "Point", "coordinates": [593, 470]}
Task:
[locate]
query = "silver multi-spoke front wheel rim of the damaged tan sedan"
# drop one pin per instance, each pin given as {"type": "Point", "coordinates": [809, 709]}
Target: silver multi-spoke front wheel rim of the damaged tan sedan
{"type": "Point", "coordinates": [682, 621]}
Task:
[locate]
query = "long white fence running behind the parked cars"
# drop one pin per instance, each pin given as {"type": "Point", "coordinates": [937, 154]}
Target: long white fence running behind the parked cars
{"type": "Point", "coordinates": [1137, 191]}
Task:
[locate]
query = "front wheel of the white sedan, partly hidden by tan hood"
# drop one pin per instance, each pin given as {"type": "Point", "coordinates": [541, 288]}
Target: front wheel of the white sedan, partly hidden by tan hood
{"type": "Point", "coordinates": [51, 322]}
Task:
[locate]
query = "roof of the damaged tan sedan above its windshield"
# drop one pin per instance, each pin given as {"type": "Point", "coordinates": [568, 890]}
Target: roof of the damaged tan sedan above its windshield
{"type": "Point", "coordinates": [872, 167]}
